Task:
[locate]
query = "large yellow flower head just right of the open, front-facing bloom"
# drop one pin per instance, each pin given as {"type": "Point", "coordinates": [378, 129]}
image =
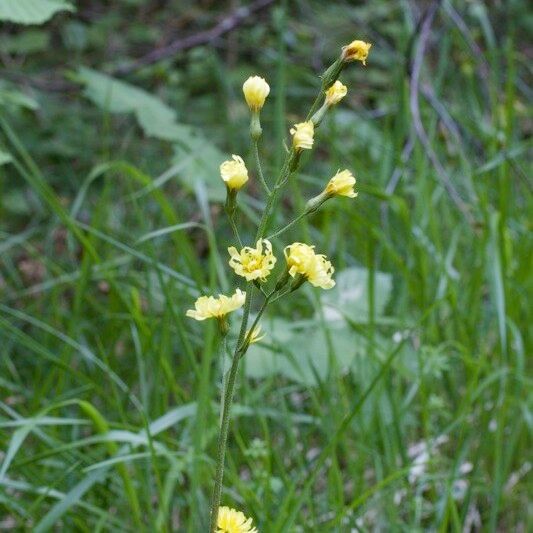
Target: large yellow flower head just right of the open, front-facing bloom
{"type": "Point", "coordinates": [301, 259]}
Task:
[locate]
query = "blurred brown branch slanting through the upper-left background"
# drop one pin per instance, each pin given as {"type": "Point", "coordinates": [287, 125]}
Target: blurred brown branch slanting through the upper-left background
{"type": "Point", "coordinates": [227, 24]}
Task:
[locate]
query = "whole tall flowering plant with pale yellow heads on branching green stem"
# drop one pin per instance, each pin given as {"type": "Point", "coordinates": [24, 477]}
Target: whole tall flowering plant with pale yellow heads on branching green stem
{"type": "Point", "coordinates": [256, 263]}
